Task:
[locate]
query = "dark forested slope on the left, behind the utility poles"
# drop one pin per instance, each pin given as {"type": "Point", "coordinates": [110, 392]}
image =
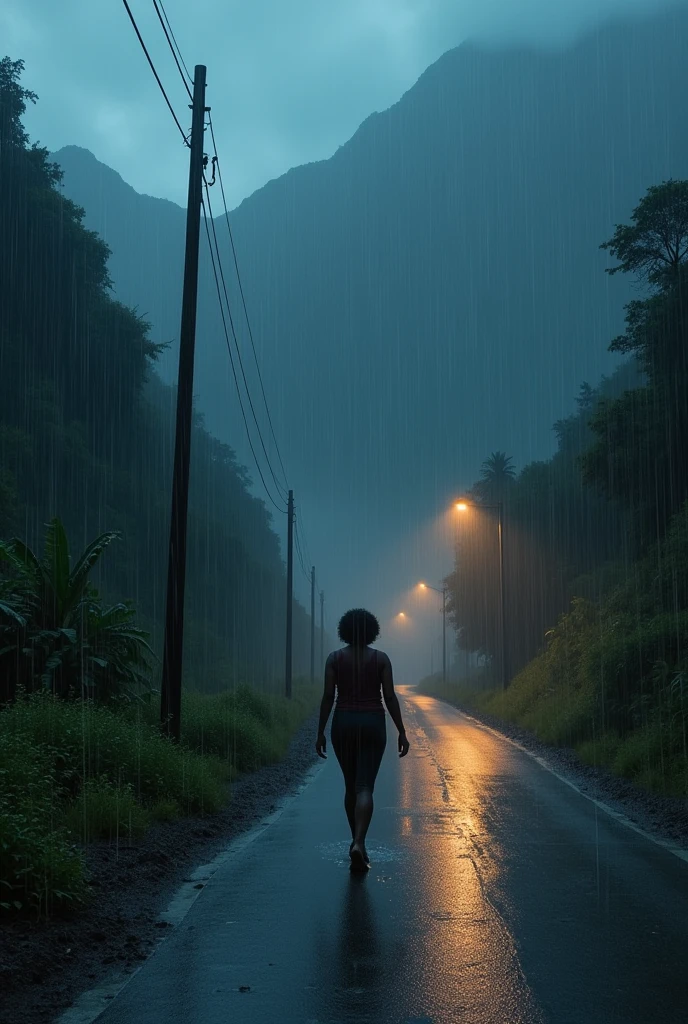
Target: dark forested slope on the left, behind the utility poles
{"type": "Point", "coordinates": [87, 434]}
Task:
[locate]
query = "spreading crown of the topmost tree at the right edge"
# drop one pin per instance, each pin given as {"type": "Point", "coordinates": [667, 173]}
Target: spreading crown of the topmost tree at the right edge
{"type": "Point", "coordinates": [656, 246]}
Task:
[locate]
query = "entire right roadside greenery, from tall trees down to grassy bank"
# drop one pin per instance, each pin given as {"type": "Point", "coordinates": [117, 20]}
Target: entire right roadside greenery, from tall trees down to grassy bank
{"type": "Point", "coordinates": [596, 544]}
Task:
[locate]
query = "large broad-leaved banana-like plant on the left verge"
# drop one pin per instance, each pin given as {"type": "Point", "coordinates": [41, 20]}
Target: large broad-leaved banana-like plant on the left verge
{"type": "Point", "coordinates": [55, 632]}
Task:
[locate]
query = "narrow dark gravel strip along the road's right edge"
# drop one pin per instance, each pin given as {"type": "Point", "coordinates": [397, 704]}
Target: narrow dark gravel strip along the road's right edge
{"type": "Point", "coordinates": [665, 819]}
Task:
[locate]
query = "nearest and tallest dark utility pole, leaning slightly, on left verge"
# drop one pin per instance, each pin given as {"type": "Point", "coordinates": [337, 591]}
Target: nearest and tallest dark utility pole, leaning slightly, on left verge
{"type": "Point", "coordinates": [170, 703]}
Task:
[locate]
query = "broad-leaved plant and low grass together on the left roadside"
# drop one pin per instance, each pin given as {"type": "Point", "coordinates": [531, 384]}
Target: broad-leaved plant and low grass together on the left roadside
{"type": "Point", "coordinates": [82, 757]}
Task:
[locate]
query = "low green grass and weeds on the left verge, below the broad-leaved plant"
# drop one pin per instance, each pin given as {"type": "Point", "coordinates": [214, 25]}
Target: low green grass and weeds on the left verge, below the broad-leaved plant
{"type": "Point", "coordinates": [74, 772]}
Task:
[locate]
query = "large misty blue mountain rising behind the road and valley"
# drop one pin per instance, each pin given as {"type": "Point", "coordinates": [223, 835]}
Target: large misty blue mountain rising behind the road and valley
{"type": "Point", "coordinates": [433, 292]}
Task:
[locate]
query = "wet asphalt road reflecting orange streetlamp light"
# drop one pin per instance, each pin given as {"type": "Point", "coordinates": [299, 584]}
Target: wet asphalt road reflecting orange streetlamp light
{"type": "Point", "coordinates": [497, 894]}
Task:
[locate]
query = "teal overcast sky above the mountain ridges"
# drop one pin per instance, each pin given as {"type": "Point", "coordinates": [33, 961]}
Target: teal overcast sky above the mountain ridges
{"type": "Point", "coordinates": [289, 80]}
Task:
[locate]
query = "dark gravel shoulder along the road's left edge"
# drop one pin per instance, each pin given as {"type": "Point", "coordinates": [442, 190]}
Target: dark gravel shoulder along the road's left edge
{"type": "Point", "coordinates": [46, 966]}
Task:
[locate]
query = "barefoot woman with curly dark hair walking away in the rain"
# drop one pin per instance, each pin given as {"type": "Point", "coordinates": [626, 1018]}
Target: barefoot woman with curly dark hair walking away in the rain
{"type": "Point", "coordinates": [359, 731]}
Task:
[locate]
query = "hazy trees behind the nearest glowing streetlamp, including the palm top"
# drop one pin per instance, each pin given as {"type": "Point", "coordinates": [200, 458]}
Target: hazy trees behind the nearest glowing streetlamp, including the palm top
{"type": "Point", "coordinates": [556, 531]}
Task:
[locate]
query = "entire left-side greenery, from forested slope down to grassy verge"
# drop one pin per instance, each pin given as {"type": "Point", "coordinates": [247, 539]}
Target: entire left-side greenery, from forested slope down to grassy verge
{"type": "Point", "coordinates": [87, 434]}
